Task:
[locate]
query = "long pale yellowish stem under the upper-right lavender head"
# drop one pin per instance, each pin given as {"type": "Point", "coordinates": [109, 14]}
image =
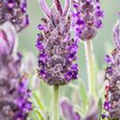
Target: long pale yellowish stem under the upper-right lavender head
{"type": "Point", "coordinates": [90, 66]}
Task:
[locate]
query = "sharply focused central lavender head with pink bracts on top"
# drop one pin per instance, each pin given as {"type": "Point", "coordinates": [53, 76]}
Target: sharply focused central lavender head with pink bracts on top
{"type": "Point", "coordinates": [56, 46]}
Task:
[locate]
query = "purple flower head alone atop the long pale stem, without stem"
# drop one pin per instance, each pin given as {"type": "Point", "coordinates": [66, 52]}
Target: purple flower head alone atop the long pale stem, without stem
{"type": "Point", "coordinates": [87, 18]}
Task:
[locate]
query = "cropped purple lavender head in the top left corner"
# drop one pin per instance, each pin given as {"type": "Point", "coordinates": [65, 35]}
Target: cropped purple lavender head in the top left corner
{"type": "Point", "coordinates": [15, 12]}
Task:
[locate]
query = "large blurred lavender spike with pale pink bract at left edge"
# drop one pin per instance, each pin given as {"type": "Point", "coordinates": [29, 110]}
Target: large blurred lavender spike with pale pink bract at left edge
{"type": "Point", "coordinates": [14, 94]}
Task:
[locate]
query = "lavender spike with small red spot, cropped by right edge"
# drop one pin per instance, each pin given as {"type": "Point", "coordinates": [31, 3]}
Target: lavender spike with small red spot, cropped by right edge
{"type": "Point", "coordinates": [112, 103]}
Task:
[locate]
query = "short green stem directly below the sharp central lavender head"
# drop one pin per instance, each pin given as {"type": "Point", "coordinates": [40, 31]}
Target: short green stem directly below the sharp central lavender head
{"type": "Point", "coordinates": [56, 103]}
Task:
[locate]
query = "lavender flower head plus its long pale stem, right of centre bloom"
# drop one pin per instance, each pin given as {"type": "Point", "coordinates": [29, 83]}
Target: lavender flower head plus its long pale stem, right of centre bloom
{"type": "Point", "coordinates": [87, 19]}
